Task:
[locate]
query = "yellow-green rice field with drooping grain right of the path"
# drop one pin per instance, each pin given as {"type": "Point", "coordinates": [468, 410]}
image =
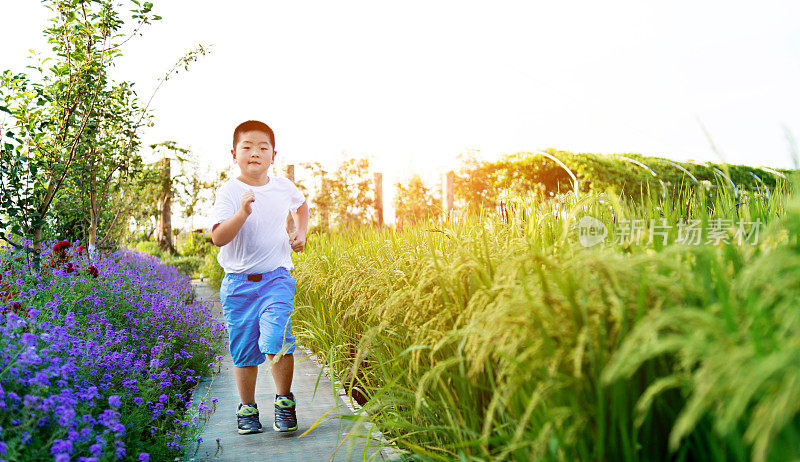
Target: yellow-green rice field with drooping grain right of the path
{"type": "Point", "coordinates": [666, 329]}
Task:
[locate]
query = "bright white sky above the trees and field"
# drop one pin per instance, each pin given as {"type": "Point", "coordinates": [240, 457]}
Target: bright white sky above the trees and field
{"type": "Point", "coordinates": [413, 84]}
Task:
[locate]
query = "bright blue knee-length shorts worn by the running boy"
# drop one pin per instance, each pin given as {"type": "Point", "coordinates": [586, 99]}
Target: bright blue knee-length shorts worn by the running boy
{"type": "Point", "coordinates": [257, 315]}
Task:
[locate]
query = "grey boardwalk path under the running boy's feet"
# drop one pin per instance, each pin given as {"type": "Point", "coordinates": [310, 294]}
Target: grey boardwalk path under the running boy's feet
{"type": "Point", "coordinates": [328, 441]}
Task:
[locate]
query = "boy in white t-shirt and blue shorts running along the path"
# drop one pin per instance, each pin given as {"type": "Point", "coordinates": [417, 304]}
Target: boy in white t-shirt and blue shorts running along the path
{"type": "Point", "coordinates": [257, 291]}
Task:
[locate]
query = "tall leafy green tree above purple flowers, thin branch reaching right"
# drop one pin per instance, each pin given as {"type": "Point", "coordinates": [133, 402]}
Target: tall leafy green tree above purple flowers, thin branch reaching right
{"type": "Point", "coordinates": [73, 132]}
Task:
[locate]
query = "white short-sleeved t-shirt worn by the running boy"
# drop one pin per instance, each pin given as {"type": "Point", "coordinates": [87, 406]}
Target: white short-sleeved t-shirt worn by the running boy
{"type": "Point", "coordinates": [262, 244]}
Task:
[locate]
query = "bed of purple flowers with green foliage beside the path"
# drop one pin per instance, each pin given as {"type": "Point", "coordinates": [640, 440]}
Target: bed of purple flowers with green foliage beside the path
{"type": "Point", "coordinates": [99, 357]}
